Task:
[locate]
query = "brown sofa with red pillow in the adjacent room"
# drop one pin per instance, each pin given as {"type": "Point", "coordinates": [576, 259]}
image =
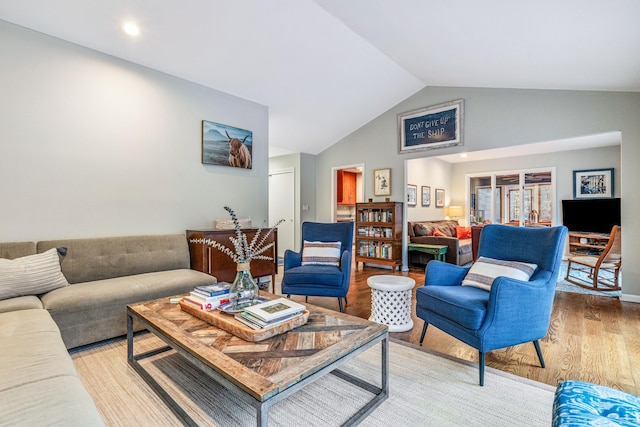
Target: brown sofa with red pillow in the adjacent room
{"type": "Point", "coordinates": [458, 248]}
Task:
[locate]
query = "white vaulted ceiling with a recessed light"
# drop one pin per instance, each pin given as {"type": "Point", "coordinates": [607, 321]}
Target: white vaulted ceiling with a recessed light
{"type": "Point", "coordinates": [326, 67]}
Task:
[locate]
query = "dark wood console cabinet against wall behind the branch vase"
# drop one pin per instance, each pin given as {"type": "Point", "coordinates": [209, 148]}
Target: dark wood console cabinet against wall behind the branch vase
{"type": "Point", "coordinates": [212, 261]}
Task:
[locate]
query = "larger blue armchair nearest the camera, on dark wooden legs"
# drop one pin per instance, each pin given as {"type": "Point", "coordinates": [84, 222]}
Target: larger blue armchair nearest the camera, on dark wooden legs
{"type": "Point", "coordinates": [513, 311]}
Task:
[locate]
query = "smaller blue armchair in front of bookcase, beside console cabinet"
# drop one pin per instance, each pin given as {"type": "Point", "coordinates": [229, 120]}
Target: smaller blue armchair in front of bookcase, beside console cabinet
{"type": "Point", "coordinates": [318, 279]}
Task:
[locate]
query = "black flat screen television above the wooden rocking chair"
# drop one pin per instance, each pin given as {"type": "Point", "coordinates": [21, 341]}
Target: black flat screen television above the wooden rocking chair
{"type": "Point", "coordinates": [591, 215]}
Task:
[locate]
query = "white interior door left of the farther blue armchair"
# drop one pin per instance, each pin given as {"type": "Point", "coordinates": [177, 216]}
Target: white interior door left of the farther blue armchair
{"type": "Point", "coordinates": [281, 205]}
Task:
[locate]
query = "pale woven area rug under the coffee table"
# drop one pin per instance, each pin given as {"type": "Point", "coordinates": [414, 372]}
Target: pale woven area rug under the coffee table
{"type": "Point", "coordinates": [425, 390]}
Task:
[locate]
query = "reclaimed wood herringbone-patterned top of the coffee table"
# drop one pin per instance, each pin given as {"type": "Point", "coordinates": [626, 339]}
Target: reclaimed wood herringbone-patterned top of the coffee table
{"type": "Point", "coordinates": [265, 368]}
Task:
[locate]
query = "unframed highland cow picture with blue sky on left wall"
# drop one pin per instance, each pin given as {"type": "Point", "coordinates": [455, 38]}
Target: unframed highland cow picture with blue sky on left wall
{"type": "Point", "coordinates": [224, 145]}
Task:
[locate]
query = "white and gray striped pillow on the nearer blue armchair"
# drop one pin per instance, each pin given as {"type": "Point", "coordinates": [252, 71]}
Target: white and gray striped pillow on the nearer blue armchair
{"type": "Point", "coordinates": [485, 270]}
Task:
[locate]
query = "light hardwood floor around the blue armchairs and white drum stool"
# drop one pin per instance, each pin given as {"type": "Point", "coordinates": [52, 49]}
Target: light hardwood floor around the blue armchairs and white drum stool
{"type": "Point", "coordinates": [591, 338]}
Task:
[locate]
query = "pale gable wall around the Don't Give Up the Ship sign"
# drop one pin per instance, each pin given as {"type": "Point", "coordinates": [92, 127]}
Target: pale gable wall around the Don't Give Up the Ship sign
{"type": "Point", "coordinates": [496, 118]}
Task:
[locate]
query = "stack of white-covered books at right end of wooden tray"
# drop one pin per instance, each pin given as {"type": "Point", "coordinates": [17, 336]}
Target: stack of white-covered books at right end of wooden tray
{"type": "Point", "coordinates": [270, 313]}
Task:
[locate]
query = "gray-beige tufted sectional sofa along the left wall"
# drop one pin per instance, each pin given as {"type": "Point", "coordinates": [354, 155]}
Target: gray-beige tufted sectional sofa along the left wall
{"type": "Point", "coordinates": [38, 381]}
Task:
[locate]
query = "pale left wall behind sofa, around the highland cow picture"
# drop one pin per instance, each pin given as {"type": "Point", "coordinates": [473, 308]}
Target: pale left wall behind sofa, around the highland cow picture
{"type": "Point", "coordinates": [95, 146]}
